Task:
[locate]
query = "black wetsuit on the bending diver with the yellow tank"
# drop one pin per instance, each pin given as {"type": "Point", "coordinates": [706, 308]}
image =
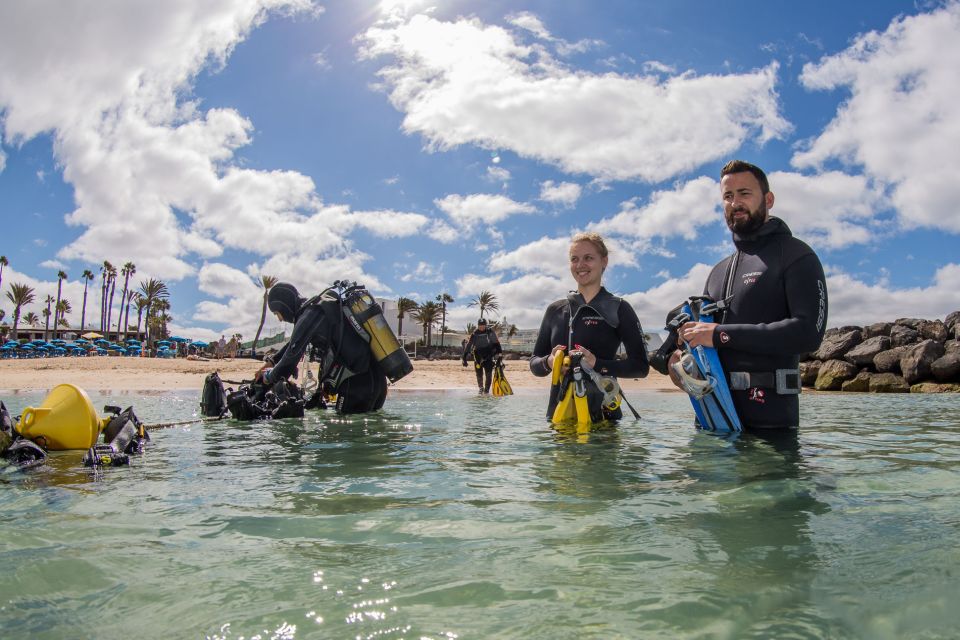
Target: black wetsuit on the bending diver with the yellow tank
{"type": "Point", "coordinates": [349, 370]}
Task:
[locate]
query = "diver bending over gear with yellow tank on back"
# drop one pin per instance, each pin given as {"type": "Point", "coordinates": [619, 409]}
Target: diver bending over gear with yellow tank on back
{"type": "Point", "coordinates": [356, 360]}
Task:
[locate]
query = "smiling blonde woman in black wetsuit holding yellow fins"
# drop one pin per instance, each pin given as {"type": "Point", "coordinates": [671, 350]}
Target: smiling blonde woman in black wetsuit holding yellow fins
{"type": "Point", "coordinates": [579, 338]}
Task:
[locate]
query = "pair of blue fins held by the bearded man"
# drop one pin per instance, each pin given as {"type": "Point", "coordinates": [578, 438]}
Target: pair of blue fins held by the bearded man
{"type": "Point", "coordinates": [702, 375]}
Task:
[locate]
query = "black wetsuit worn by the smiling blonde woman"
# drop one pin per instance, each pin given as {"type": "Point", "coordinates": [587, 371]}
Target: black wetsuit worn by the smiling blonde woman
{"type": "Point", "coordinates": [601, 326]}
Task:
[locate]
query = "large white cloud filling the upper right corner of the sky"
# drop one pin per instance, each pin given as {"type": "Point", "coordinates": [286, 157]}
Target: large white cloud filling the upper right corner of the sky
{"type": "Point", "coordinates": [901, 123]}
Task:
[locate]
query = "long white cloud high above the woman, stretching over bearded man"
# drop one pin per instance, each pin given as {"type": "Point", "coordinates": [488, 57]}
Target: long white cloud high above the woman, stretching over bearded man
{"type": "Point", "coordinates": [465, 82]}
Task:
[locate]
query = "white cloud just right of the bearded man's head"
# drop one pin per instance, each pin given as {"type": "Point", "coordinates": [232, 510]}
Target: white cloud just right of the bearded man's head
{"type": "Point", "coordinates": [829, 209]}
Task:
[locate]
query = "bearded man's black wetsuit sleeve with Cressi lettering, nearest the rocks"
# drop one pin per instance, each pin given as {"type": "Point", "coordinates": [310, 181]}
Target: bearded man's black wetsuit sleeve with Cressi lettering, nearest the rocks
{"type": "Point", "coordinates": [805, 289]}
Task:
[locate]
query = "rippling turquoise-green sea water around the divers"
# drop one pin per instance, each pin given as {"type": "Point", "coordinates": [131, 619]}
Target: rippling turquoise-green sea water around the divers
{"type": "Point", "coordinates": [449, 515]}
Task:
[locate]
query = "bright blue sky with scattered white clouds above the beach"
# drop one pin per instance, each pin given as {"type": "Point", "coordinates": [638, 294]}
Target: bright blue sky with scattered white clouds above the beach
{"type": "Point", "coordinates": [429, 147]}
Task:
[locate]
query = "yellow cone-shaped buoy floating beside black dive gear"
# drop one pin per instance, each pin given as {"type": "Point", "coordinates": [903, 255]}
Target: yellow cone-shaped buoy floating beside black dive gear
{"type": "Point", "coordinates": [65, 420]}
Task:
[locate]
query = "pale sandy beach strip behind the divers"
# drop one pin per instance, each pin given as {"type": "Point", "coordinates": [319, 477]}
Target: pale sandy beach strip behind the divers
{"type": "Point", "coordinates": [151, 374]}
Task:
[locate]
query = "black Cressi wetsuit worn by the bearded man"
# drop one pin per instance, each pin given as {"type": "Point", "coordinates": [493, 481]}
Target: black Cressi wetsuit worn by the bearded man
{"type": "Point", "coordinates": [778, 311]}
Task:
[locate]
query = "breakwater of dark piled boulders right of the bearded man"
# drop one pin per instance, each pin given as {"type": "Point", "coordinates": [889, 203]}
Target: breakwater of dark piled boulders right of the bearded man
{"type": "Point", "coordinates": [908, 355]}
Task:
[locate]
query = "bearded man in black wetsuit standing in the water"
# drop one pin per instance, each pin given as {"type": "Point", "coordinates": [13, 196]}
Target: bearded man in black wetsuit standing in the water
{"type": "Point", "coordinates": [777, 306]}
